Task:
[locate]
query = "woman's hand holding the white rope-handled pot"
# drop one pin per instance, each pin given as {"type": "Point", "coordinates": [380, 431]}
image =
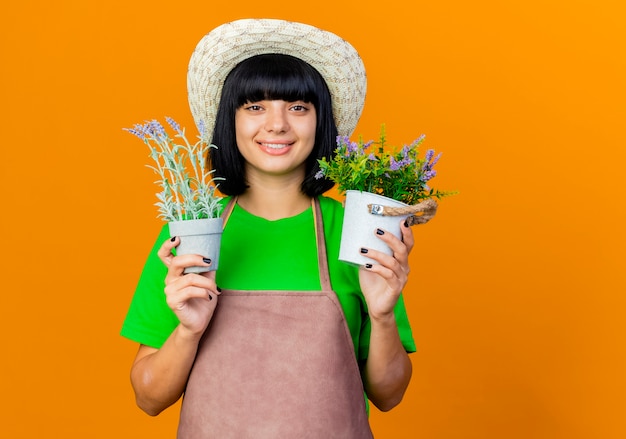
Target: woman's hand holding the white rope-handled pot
{"type": "Point", "coordinates": [382, 283]}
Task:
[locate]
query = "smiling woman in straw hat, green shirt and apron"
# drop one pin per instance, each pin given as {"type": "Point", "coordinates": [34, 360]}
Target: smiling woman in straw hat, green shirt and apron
{"type": "Point", "coordinates": [291, 338]}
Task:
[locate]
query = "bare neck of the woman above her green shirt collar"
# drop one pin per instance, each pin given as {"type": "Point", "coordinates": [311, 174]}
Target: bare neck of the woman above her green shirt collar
{"type": "Point", "coordinates": [274, 201]}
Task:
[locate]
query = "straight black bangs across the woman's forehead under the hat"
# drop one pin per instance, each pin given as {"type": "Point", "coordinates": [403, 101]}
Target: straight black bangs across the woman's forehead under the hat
{"type": "Point", "coordinates": [276, 77]}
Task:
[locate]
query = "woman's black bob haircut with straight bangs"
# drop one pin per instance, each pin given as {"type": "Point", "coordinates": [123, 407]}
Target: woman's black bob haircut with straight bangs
{"type": "Point", "coordinates": [271, 77]}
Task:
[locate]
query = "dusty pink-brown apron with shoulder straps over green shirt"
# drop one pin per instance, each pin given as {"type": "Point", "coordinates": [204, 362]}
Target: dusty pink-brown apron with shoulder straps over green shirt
{"type": "Point", "coordinates": [276, 364]}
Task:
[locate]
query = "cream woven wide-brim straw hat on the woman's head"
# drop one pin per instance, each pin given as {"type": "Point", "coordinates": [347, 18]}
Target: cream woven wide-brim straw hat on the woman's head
{"type": "Point", "coordinates": [219, 51]}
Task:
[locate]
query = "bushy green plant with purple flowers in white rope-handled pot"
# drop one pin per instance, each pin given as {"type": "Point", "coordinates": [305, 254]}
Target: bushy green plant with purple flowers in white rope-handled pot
{"type": "Point", "coordinates": [382, 186]}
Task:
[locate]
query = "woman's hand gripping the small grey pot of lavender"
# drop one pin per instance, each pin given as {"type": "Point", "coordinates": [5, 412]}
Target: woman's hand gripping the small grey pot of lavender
{"type": "Point", "coordinates": [193, 296]}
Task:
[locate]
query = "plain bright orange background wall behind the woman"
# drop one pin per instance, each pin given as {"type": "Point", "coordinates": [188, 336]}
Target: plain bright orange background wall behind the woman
{"type": "Point", "coordinates": [517, 297]}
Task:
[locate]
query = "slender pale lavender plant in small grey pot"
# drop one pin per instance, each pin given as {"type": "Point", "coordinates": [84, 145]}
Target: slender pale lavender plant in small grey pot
{"type": "Point", "coordinates": [188, 200]}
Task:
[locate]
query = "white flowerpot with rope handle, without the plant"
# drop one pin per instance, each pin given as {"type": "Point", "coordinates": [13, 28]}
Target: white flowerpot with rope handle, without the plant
{"type": "Point", "coordinates": [359, 226]}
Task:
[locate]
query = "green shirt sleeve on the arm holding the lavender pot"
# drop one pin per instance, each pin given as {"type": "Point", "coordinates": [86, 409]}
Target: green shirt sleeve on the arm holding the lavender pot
{"type": "Point", "coordinates": [149, 320]}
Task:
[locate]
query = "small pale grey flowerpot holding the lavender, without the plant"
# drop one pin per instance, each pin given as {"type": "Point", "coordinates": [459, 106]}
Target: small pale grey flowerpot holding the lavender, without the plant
{"type": "Point", "coordinates": [199, 237]}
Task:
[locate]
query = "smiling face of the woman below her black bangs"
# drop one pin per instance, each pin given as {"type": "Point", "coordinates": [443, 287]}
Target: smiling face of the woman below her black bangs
{"type": "Point", "coordinates": [275, 137]}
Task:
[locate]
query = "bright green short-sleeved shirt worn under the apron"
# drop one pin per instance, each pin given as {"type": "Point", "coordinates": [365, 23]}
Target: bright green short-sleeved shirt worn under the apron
{"type": "Point", "coordinates": [258, 254]}
